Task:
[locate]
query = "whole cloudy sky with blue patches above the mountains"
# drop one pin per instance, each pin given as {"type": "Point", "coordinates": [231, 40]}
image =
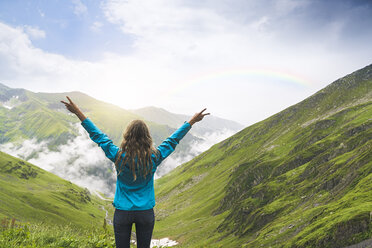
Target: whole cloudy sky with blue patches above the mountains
{"type": "Point", "coordinates": [244, 60]}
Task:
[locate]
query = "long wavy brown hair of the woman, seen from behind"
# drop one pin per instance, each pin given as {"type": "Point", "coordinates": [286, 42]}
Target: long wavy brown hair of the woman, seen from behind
{"type": "Point", "coordinates": [137, 145]}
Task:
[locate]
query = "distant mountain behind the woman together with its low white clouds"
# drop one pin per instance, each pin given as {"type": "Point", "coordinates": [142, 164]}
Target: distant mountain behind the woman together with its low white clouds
{"type": "Point", "coordinates": [36, 127]}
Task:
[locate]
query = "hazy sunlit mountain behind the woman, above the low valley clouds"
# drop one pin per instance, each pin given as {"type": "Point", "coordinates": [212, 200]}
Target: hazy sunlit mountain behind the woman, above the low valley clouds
{"type": "Point", "coordinates": [28, 115]}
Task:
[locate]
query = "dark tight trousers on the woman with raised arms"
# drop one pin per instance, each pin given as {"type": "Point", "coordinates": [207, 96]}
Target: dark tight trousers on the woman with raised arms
{"type": "Point", "coordinates": [123, 221]}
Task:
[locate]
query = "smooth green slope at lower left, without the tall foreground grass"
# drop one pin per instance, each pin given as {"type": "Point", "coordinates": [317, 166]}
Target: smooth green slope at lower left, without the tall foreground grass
{"type": "Point", "coordinates": [30, 194]}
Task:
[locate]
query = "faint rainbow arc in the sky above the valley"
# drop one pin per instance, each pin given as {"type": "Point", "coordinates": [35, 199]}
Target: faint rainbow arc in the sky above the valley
{"type": "Point", "coordinates": [283, 77]}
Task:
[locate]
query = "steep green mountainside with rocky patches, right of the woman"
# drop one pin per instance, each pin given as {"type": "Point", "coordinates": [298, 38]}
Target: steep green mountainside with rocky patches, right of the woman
{"type": "Point", "coordinates": [301, 178]}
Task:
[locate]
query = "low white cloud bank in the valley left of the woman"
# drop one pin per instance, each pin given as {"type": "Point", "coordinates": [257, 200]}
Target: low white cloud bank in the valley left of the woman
{"type": "Point", "coordinates": [79, 161]}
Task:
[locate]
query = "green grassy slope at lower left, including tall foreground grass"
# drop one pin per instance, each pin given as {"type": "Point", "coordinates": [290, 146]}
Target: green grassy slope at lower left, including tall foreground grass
{"type": "Point", "coordinates": [39, 209]}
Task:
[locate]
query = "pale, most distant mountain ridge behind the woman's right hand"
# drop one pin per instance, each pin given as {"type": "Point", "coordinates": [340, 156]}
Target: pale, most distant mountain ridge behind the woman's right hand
{"type": "Point", "coordinates": [208, 125]}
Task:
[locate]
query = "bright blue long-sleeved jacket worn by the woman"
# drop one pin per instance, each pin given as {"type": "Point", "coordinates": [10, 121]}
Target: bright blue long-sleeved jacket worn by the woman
{"type": "Point", "coordinates": [138, 194]}
